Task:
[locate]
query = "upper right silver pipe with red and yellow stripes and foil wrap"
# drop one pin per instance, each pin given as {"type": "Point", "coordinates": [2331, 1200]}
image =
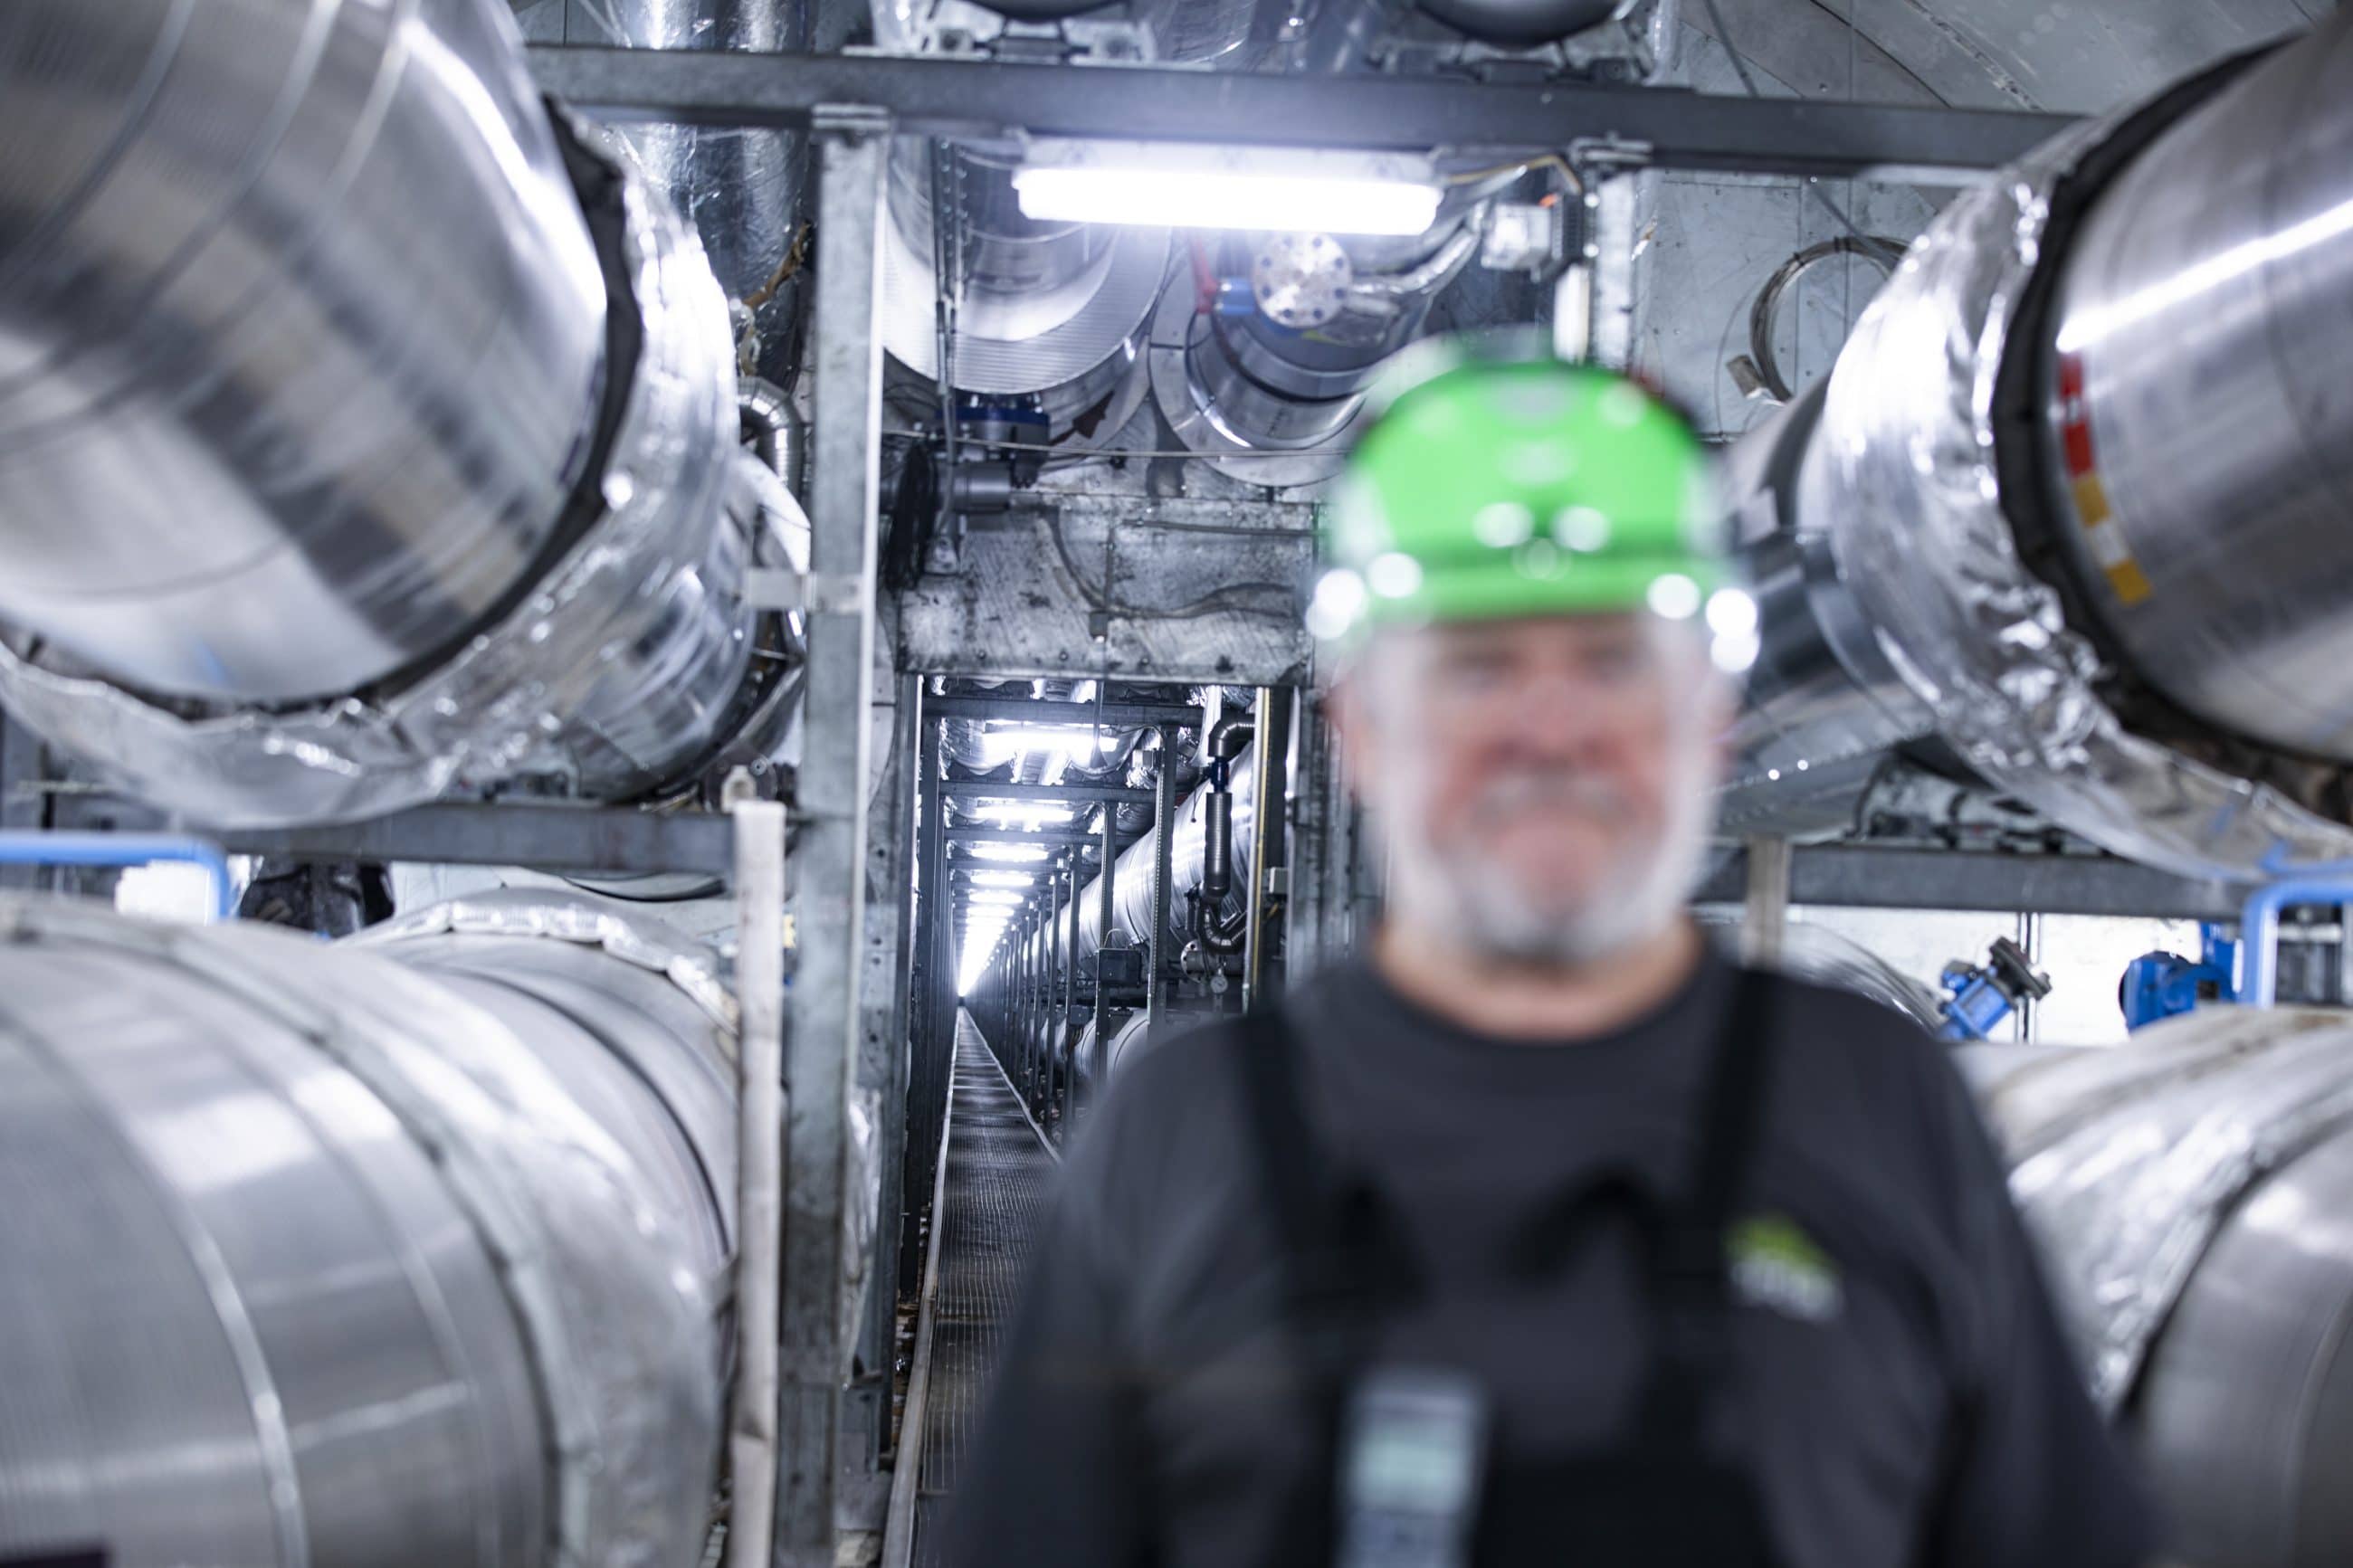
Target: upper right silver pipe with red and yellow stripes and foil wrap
{"type": "Point", "coordinates": [2072, 502]}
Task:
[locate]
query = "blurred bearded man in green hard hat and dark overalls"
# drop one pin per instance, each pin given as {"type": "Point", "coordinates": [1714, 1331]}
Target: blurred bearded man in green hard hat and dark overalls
{"type": "Point", "coordinates": [1542, 1233]}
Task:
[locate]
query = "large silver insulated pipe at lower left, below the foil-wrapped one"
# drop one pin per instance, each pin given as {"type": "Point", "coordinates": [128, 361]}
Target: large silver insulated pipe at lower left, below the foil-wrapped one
{"type": "Point", "coordinates": [389, 1252]}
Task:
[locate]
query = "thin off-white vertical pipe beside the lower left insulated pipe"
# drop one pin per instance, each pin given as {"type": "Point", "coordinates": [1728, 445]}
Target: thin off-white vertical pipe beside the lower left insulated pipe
{"type": "Point", "coordinates": [752, 1438]}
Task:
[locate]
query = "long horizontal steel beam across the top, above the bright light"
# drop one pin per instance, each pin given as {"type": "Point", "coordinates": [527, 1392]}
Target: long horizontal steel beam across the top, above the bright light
{"type": "Point", "coordinates": [964, 98]}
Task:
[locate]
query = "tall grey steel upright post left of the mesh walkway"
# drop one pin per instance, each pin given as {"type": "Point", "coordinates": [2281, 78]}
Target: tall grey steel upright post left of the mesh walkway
{"type": "Point", "coordinates": [853, 152]}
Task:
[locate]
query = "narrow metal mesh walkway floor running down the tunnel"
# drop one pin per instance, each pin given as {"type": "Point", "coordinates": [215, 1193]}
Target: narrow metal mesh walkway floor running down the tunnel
{"type": "Point", "coordinates": [987, 1219]}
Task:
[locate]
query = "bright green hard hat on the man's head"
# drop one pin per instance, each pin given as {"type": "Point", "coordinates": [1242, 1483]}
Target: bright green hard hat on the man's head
{"type": "Point", "coordinates": [1519, 488]}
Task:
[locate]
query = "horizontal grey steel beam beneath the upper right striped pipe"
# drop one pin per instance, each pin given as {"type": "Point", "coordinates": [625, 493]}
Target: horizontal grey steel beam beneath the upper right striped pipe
{"type": "Point", "coordinates": [1867, 878]}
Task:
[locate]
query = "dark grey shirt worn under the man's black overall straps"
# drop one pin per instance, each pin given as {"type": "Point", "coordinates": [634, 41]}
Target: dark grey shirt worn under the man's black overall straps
{"type": "Point", "coordinates": [1902, 1391]}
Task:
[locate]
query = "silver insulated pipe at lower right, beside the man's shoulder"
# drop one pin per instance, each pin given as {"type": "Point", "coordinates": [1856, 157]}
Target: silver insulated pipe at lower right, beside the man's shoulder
{"type": "Point", "coordinates": [2192, 1195]}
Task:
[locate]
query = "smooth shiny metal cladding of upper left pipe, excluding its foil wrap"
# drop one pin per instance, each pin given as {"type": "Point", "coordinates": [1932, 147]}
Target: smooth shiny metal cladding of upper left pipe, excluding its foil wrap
{"type": "Point", "coordinates": [302, 328]}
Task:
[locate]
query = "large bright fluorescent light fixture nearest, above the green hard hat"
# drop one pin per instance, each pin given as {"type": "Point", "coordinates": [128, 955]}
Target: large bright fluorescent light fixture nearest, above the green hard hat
{"type": "Point", "coordinates": [1171, 185]}
